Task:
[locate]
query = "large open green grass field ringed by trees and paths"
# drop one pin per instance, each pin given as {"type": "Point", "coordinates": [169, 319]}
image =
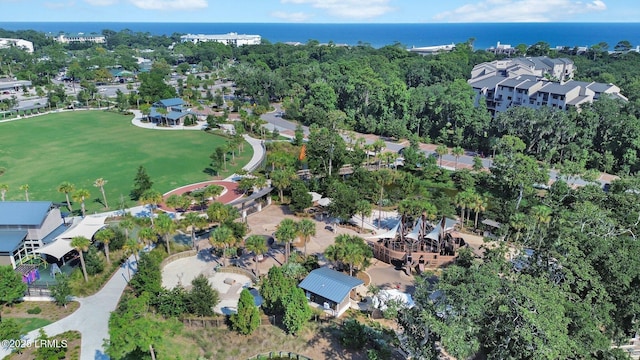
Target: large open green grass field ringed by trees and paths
{"type": "Point", "coordinates": [82, 146]}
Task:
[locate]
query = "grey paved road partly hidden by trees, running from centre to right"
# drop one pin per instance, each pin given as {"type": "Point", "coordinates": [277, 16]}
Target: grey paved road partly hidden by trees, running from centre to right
{"type": "Point", "coordinates": [287, 128]}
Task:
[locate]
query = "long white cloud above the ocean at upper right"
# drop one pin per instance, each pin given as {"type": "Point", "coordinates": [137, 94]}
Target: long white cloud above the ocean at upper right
{"type": "Point", "coordinates": [520, 10]}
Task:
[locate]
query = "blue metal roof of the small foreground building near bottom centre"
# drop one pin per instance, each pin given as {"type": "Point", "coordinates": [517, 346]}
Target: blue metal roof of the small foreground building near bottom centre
{"type": "Point", "coordinates": [329, 284]}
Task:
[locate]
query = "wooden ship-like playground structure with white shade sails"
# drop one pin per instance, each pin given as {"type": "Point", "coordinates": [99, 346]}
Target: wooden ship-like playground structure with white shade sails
{"type": "Point", "coordinates": [421, 246]}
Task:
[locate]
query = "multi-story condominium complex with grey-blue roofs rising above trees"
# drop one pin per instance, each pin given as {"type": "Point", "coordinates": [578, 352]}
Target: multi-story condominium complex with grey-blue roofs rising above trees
{"type": "Point", "coordinates": [534, 82]}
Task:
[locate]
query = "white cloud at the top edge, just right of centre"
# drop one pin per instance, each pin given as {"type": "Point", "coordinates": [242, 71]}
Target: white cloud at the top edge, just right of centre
{"type": "Point", "coordinates": [348, 9]}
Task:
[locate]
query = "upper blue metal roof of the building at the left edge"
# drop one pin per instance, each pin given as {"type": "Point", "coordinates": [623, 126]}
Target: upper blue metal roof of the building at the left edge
{"type": "Point", "coordinates": [27, 213]}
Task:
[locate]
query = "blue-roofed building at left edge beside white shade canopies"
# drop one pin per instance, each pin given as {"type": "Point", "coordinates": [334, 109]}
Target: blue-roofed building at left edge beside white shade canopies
{"type": "Point", "coordinates": [24, 227]}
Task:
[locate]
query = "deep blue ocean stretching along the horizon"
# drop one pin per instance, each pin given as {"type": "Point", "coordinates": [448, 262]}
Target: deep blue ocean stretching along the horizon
{"type": "Point", "coordinates": [376, 35]}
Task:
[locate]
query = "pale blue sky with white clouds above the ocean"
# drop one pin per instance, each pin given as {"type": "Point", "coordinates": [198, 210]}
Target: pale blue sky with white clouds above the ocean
{"type": "Point", "coordinates": [322, 11]}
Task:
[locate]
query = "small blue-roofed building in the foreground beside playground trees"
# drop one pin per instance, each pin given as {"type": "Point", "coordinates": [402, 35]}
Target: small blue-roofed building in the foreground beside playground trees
{"type": "Point", "coordinates": [330, 289]}
